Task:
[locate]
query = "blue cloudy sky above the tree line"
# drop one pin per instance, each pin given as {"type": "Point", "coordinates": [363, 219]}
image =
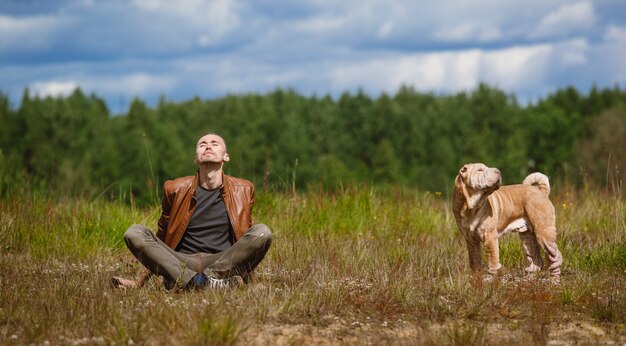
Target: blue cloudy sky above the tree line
{"type": "Point", "coordinates": [178, 50]}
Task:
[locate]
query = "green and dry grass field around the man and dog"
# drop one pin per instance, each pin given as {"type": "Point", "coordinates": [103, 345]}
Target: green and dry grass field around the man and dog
{"type": "Point", "coordinates": [359, 266]}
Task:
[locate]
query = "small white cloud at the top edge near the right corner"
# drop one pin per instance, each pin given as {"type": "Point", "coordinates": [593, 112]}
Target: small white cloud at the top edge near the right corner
{"type": "Point", "coordinates": [567, 19]}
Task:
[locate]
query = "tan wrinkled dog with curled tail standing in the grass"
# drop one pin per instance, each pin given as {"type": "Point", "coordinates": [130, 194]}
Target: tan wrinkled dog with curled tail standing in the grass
{"type": "Point", "coordinates": [484, 211]}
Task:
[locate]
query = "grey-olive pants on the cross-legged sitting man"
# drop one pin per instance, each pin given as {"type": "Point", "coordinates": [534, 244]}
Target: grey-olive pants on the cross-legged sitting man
{"type": "Point", "coordinates": [178, 268]}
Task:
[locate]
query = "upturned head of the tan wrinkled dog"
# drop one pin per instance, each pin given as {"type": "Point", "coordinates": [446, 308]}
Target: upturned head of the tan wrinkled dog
{"type": "Point", "coordinates": [477, 181]}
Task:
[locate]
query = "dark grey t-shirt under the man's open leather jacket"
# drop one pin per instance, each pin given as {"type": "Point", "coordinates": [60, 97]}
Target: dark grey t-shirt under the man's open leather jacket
{"type": "Point", "coordinates": [209, 229]}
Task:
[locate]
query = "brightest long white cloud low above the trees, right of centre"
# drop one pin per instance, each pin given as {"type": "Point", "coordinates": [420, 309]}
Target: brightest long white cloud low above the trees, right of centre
{"type": "Point", "coordinates": [509, 68]}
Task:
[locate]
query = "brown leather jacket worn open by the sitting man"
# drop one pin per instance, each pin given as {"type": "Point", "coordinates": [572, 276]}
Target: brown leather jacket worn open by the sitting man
{"type": "Point", "coordinates": [179, 203]}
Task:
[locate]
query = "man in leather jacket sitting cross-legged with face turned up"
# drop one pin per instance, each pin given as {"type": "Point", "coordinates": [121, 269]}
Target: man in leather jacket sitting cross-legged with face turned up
{"type": "Point", "coordinates": [205, 237]}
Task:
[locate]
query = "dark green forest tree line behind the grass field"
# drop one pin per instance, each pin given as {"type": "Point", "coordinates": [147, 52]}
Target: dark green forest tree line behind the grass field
{"type": "Point", "coordinates": [73, 145]}
